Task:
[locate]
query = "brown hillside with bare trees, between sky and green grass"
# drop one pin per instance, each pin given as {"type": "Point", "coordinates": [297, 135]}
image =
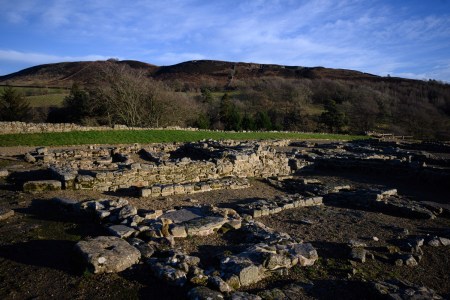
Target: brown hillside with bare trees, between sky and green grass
{"type": "Point", "coordinates": [239, 96]}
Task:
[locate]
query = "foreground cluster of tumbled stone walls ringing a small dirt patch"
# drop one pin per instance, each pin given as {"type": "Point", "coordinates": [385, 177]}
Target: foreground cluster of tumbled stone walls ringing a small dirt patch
{"type": "Point", "coordinates": [151, 238]}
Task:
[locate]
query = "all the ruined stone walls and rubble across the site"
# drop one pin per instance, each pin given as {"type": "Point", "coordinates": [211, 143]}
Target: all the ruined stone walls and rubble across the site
{"type": "Point", "coordinates": [163, 170]}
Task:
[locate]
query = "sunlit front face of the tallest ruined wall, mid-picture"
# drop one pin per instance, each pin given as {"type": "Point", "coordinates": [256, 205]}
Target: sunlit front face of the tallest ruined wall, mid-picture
{"type": "Point", "coordinates": [142, 175]}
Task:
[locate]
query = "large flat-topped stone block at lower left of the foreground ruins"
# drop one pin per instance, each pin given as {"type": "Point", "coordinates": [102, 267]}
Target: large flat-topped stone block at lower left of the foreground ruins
{"type": "Point", "coordinates": [108, 254]}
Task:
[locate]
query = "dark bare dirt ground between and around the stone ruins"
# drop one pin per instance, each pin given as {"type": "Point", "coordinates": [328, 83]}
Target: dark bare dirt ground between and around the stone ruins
{"type": "Point", "coordinates": [37, 260]}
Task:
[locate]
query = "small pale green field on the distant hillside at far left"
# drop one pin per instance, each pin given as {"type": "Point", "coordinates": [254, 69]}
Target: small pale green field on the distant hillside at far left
{"type": "Point", "coordinates": [39, 97]}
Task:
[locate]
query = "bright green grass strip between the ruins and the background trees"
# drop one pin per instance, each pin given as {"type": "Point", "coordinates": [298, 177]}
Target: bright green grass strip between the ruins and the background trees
{"type": "Point", "coordinates": [151, 136]}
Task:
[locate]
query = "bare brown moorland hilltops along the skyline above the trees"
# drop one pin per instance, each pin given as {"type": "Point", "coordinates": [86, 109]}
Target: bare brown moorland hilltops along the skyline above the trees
{"type": "Point", "coordinates": [195, 71]}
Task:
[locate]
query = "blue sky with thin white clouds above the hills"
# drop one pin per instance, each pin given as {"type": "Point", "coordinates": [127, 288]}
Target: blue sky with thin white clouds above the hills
{"type": "Point", "coordinates": [405, 38]}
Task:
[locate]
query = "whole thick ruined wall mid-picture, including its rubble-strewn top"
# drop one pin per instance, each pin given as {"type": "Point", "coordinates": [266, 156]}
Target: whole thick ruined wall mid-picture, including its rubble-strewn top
{"type": "Point", "coordinates": [110, 169]}
